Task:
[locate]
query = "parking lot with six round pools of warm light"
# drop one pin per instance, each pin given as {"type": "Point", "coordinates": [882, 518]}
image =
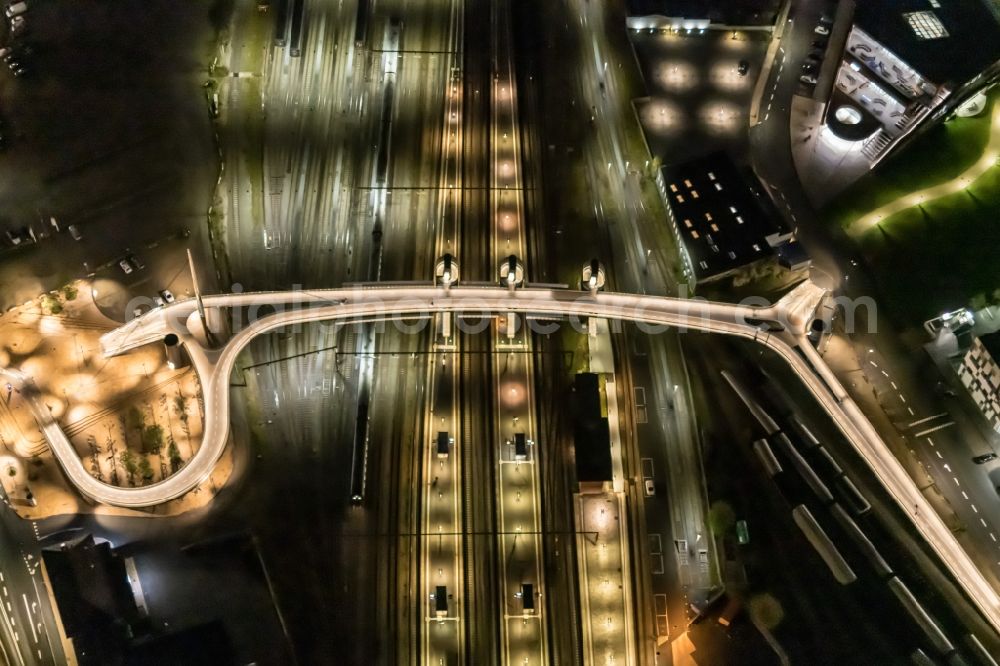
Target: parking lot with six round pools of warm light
{"type": "Point", "coordinates": [699, 100]}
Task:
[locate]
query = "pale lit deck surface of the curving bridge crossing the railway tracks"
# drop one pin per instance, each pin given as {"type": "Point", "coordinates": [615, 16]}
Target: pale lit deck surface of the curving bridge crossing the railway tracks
{"type": "Point", "coordinates": [715, 317]}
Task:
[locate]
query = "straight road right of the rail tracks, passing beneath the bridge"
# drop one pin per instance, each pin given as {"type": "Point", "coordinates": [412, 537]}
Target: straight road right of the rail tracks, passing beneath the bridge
{"type": "Point", "coordinates": [638, 260]}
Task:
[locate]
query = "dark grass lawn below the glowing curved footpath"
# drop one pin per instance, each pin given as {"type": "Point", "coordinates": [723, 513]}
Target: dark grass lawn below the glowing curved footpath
{"type": "Point", "coordinates": [938, 256]}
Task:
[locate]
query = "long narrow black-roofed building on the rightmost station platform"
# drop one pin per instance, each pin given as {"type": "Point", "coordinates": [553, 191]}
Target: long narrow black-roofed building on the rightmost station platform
{"type": "Point", "coordinates": [591, 435]}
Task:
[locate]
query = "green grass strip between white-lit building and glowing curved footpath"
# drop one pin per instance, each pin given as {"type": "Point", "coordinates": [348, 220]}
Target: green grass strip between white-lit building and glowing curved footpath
{"type": "Point", "coordinates": [943, 153]}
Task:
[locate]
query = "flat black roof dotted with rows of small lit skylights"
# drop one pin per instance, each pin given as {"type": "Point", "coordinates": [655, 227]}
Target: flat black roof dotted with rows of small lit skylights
{"type": "Point", "coordinates": [724, 220]}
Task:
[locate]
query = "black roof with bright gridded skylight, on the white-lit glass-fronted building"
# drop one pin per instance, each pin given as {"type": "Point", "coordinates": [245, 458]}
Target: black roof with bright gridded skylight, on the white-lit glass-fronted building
{"type": "Point", "coordinates": [944, 40]}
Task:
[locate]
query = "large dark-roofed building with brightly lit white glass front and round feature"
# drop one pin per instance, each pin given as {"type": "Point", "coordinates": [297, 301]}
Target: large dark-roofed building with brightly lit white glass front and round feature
{"type": "Point", "coordinates": [897, 66]}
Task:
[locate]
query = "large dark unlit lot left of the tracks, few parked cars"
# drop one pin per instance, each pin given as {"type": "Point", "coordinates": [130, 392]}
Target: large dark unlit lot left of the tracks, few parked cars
{"type": "Point", "coordinates": [106, 130]}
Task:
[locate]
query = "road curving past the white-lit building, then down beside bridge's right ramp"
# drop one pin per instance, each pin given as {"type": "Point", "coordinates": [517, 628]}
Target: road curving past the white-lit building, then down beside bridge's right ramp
{"type": "Point", "coordinates": [946, 457]}
